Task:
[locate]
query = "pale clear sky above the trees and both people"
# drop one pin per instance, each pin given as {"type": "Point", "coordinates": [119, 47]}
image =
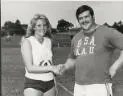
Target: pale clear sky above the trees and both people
{"type": "Point", "coordinates": [109, 12]}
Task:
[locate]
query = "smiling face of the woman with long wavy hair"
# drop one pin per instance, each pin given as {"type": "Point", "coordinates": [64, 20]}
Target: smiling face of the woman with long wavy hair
{"type": "Point", "coordinates": [40, 27]}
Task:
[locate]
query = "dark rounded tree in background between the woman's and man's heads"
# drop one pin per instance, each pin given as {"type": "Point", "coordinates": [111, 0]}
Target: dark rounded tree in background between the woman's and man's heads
{"type": "Point", "coordinates": [64, 25]}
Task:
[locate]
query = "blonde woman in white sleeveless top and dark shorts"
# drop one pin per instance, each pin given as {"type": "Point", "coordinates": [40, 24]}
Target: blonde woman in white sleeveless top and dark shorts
{"type": "Point", "coordinates": [36, 50]}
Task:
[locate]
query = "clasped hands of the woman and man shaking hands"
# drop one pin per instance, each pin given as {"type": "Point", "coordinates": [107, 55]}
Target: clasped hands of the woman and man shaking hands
{"type": "Point", "coordinates": [58, 69]}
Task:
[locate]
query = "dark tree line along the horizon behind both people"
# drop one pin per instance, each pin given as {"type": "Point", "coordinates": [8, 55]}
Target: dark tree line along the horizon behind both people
{"type": "Point", "coordinates": [16, 28]}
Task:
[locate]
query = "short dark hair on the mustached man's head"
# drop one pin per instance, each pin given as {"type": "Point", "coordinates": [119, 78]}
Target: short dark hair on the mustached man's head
{"type": "Point", "coordinates": [83, 8]}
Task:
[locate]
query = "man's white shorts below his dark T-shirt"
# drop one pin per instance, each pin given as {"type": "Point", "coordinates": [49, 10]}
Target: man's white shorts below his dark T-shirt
{"type": "Point", "coordinates": [93, 90]}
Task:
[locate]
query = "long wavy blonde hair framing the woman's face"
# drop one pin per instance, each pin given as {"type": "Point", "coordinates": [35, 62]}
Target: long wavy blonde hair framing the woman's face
{"type": "Point", "coordinates": [30, 28]}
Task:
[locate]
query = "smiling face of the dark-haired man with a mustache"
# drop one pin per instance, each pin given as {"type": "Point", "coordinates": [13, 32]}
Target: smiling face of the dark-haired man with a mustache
{"type": "Point", "coordinates": [86, 20]}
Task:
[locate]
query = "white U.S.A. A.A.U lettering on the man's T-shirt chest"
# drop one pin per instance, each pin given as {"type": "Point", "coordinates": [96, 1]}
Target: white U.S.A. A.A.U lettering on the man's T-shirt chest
{"type": "Point", "coordinates": [85, 46]}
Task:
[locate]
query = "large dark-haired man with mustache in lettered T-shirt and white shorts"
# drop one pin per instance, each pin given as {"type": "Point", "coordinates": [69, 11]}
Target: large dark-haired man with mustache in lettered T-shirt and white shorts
{"type": "Point", "coordinates": [91, 51]}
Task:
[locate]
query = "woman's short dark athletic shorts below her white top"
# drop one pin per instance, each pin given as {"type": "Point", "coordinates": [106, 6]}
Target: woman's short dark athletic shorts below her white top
{"type": "Point", "coordinates": [38, 84]}
